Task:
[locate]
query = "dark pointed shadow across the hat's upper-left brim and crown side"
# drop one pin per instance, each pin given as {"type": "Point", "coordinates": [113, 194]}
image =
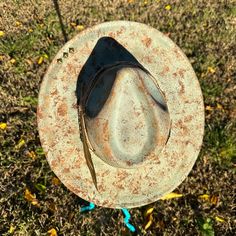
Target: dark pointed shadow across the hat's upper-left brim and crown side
{"type": "Point", "coordinates": [106, 52]}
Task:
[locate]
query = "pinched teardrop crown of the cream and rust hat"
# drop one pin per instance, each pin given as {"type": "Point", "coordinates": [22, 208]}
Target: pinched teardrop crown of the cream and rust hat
{"type": "Point", "coordinates": [133, 119]}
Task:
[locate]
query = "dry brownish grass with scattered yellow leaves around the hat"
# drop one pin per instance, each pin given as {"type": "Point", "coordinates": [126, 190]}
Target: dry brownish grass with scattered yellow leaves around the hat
{"type": "Point", "coordinates": [30, 35]}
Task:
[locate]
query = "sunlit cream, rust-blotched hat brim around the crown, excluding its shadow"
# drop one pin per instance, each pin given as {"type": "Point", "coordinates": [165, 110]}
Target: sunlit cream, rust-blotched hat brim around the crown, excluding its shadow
{"type": "Point", "coordinates": [59, 132]}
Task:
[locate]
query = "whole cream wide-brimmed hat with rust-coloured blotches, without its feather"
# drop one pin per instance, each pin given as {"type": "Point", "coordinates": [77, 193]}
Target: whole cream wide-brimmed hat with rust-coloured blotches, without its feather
{"type": "Point", "coordinates": [143, 112]}
